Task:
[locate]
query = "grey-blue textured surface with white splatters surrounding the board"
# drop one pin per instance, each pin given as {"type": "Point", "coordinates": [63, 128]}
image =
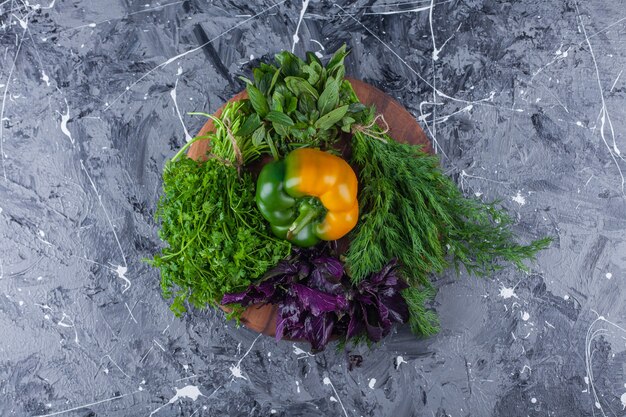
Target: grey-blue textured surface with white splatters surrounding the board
{"type": "Point", "coordinates": [524, 101]}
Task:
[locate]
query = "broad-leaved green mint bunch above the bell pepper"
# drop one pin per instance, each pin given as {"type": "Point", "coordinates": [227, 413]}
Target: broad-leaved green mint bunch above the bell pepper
{"type": "Point", "coordinates": [300, 103]}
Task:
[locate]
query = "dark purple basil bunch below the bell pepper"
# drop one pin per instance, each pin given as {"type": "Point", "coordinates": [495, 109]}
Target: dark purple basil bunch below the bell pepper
{"type": "Point", "coordinates": [317, 301]}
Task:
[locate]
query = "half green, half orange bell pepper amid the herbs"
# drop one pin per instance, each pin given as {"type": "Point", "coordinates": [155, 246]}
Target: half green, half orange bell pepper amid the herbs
{"type": "Point", "coordinates": [309, 196]}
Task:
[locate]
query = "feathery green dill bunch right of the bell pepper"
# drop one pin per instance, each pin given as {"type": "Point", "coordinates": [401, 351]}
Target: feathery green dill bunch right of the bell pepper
{"type": "Point", "coordinates": [414, 212]}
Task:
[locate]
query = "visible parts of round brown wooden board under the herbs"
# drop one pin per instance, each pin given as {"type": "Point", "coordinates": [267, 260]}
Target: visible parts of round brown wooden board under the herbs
{"type": "Point", "coordinates": [402, 127]}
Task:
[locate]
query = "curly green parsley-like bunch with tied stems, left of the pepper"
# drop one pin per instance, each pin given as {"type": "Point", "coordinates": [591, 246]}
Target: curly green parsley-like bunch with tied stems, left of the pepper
{"type": "Point", "coordinates": [217, 239]}
